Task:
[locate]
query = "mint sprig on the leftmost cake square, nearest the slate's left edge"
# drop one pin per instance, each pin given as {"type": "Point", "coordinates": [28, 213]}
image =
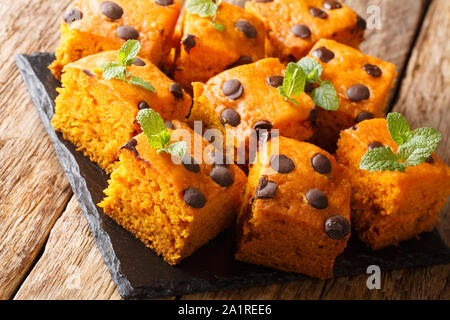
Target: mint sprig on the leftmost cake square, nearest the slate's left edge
{"type": "Point", "coordinates": [119, 70]}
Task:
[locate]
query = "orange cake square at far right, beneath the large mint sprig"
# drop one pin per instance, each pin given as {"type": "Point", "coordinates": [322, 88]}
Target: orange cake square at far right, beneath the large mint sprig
{"type": "Point", "coordinates": [389, 207]}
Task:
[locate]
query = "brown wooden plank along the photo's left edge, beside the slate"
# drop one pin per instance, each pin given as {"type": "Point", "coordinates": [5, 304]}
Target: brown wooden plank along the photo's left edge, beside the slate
{"type": "Point", "coordinates": [33, 188]}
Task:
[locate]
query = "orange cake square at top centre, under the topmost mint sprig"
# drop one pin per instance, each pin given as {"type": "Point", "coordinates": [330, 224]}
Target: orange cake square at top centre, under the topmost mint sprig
{"type": "Point", "coordinates": [205, 51]}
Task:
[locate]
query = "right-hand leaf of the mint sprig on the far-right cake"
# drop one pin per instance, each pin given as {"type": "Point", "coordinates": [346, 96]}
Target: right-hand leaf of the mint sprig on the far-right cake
{"type": "Point", "coordinates": [420, 146]}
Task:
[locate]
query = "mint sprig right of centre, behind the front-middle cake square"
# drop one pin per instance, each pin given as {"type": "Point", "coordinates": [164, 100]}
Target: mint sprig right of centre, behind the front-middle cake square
{"type": "Point", "coordinates": [308, 70]}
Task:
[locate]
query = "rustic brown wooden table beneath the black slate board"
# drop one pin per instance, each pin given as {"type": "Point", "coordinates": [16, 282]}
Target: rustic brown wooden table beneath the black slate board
{"type": "Point", "coordinates": [46, 249]}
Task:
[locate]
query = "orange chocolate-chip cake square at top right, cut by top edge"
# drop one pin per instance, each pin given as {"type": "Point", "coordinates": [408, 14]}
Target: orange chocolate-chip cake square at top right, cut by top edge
{"type": "Point", "coordinates": [293, 27]}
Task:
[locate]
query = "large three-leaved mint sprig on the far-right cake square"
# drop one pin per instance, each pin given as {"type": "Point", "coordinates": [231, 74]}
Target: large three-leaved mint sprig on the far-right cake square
{"type": "Point", "coordinates": [414, 147]}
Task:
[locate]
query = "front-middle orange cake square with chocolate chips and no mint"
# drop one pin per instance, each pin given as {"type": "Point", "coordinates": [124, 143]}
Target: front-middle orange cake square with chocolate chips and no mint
{"type": "Point", "coordinates": [295, 214]}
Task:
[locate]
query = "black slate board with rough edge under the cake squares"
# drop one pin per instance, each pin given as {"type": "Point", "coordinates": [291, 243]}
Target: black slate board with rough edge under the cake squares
{"type": "Point", "coordinates": [139, 273]}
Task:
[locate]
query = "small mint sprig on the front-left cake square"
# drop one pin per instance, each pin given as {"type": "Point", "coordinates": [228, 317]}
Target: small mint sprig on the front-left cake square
{"type": "Point", "coordinates": [157, 134]}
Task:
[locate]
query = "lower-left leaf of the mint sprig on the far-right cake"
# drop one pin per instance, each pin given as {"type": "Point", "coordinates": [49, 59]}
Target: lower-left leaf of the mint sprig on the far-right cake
{"type": "Point", "coordinates": [381, 159]}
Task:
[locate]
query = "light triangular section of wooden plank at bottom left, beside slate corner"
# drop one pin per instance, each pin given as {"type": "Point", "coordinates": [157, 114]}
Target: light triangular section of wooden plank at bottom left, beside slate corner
{"type": "Point", "coordinates": [71, 266]}
